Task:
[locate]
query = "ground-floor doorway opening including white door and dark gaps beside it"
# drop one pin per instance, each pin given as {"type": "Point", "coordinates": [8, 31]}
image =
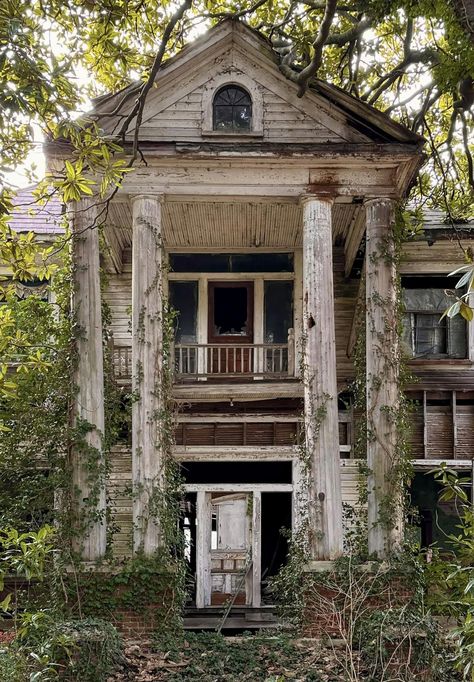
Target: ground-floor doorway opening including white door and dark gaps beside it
{"type": "Point", "coordinates": [235, 542]}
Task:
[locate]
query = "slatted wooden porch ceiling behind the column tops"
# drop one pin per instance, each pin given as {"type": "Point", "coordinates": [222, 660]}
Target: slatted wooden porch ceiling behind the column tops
{"type": "Point", "coordinates": [230, 224]}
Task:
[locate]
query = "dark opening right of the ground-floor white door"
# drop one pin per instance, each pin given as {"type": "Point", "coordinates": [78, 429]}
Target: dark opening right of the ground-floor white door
{"type": "Point", "coordinates": [276, 515]}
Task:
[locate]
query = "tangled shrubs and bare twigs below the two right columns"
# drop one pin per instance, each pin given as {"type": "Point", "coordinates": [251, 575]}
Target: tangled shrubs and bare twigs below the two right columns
{"type": "Point", "coordinates": [378, 611]}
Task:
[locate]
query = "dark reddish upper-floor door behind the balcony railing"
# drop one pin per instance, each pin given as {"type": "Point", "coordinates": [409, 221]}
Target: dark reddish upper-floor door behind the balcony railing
{"type": "Point", "coordinates": [230, 330]}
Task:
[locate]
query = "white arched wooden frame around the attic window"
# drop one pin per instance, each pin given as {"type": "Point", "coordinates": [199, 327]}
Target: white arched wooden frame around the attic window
{"type": "Point", "coordinates": [212, 88]}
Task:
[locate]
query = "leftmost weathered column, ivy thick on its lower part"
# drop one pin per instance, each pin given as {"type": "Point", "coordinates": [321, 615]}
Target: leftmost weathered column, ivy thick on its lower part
{"type": "Point", "coordinates": [88, 465]}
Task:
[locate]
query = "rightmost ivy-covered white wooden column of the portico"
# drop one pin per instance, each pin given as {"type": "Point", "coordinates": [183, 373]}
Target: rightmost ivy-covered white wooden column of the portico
{"type": "Point", "coordinates": [382, 361]}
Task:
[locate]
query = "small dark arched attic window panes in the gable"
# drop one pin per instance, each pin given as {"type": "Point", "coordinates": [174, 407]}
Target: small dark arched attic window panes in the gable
{"type": "Point", "coordinates": [232, 110]}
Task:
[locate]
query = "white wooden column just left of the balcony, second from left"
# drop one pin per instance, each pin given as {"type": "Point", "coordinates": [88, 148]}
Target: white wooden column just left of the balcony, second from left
{"type": "Point", "coordinates": [147, 348]}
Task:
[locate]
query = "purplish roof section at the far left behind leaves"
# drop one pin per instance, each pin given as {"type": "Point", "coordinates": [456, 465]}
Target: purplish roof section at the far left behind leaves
{"type": "Point", "coordinates": [29, 216]}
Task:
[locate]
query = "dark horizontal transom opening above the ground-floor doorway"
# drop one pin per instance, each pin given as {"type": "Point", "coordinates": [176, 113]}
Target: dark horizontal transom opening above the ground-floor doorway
{"type": "Point", "coordinates": [236, 472]}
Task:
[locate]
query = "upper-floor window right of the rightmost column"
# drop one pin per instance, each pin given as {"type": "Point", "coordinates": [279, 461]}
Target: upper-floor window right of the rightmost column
{"type": "Point", "coordinates": [425, 334]}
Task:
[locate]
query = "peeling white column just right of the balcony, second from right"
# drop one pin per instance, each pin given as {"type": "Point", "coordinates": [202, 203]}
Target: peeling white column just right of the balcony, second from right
{"type": "Point", "coordinates": [320, 383]}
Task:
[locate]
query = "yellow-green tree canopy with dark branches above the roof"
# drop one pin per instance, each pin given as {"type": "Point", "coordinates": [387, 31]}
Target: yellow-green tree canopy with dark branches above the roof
{"type": "Point", "coordinates": [414, 60]}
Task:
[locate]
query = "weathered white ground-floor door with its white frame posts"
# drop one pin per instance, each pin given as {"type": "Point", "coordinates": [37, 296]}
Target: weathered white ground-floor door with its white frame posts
{"type": "Point", "coordinates": [228, 549]}
